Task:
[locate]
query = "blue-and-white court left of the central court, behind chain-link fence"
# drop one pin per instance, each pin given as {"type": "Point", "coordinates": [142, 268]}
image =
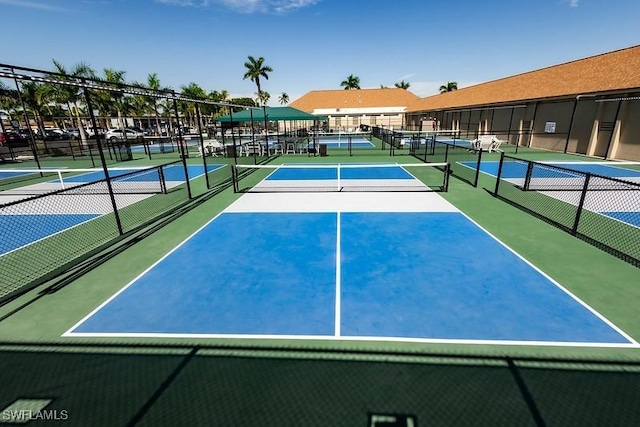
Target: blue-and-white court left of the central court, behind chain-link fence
{"type": "Point", "coordinates": [35, 219]}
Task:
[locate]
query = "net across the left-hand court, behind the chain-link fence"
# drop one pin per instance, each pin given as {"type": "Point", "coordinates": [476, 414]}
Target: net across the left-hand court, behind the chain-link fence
{"type": "Point", "coordinates": [147, 180]}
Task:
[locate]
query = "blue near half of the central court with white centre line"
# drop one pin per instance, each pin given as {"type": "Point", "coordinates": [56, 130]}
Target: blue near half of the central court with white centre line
{"type": "Point", "coordinates": [398, 276]}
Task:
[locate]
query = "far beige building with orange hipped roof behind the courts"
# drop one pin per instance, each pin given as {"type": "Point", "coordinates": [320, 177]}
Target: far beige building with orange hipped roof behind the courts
{"type": "Point", "coordinates": [348, 109]}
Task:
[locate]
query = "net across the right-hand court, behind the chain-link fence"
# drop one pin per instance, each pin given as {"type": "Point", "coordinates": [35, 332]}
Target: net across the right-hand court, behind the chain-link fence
{"type": "Point", "coordinates": [580, 176]}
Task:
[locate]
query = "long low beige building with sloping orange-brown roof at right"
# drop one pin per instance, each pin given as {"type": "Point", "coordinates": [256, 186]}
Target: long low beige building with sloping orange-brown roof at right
{"type": "Point", "coordinates": [589, 106]}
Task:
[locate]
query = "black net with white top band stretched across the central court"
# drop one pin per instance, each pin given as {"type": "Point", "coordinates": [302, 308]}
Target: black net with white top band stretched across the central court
{"type": "Point", "coordinates": [375, 177]}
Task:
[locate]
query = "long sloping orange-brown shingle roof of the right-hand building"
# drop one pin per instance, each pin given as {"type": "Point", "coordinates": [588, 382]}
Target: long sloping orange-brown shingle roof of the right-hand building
{"type": "Point", "coordinates": [614, 71]}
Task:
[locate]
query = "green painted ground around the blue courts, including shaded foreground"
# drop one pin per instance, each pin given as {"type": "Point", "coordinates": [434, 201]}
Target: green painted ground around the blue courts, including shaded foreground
{"type": "Point", "coordinates": [232, 381]}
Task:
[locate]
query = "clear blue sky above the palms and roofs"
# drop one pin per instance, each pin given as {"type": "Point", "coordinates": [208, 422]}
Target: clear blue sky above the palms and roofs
{"type": "Point", "coordinates": [314, 44]}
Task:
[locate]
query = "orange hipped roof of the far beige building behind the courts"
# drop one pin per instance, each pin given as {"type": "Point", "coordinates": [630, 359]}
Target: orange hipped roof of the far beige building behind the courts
{"type": "Point", "coordinates": [355, 98]}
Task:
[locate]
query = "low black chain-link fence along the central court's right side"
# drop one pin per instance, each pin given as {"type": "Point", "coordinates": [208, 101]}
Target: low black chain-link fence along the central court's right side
{"type": "Point", "coordinates": [600, 210]}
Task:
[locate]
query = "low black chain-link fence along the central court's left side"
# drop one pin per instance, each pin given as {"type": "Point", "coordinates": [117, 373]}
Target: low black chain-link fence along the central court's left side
{"type": "Point", "coordinates": [44, 233]}
